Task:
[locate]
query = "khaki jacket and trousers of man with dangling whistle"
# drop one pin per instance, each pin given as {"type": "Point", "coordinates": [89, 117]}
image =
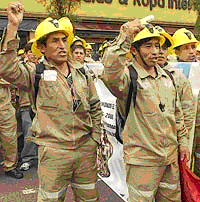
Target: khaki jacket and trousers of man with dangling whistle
{"type": "Point", "coordinates": [151, 137]}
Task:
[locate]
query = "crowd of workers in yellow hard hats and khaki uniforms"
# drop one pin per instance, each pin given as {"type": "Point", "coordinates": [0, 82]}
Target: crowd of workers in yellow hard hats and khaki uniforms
{"type": "Point", "coordinates": [51, 113]}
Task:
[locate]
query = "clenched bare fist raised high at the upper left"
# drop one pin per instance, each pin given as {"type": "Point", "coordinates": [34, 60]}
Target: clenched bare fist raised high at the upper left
{"type": "Point", "coordinates": [15, 12]}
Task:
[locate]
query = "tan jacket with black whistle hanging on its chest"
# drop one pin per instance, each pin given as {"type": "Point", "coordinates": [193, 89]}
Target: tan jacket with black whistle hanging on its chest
{"type": "Point", "coordinates": [151, 137]}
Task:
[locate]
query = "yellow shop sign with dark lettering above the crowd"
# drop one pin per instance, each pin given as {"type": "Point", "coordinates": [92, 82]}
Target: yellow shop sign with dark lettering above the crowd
{"type": "Point", "coordinates": [163, 10]}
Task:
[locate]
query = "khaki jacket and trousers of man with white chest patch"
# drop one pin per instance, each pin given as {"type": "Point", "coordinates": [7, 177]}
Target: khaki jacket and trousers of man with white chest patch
{"type": "Point", "coordinates": [67, 124]}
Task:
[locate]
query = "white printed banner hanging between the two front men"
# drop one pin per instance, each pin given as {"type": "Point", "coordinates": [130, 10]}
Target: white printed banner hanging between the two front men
{"type": "Point", "coordinates": [117, 180]}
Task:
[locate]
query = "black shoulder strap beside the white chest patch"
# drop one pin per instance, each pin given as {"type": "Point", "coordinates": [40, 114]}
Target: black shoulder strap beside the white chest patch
{"type": "Point", "coordinates": [39, 70]}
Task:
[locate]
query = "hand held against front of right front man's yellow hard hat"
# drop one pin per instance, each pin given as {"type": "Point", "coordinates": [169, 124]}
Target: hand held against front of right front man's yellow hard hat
{"type": "Point", "coordinates": [132, 28]}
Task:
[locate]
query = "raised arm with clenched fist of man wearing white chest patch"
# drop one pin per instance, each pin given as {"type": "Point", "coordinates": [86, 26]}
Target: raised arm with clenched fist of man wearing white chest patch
{"type": "Point", "coordinates": [10, 67]}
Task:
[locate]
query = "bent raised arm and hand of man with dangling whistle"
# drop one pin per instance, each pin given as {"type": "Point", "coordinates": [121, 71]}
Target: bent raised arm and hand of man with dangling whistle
{"type": "Point", "coordinates": [113, 60]}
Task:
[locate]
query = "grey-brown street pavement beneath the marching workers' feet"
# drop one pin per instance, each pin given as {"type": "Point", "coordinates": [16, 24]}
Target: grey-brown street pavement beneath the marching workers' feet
{"type": "Point", "coordinates": [25, 190]}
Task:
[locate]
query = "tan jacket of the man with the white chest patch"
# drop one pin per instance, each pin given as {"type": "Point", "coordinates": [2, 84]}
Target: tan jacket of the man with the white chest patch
{"type": "Point", "coordinates": [55, 123]}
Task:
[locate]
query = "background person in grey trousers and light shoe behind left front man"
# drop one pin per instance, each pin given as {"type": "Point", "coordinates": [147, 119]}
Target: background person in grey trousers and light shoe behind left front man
{"type": "Point", "coordinates": [28, 154]}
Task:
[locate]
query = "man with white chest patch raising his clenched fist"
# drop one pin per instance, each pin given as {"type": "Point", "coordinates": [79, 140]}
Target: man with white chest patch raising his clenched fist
{"type": "Point", "coordinates": [67, 124]}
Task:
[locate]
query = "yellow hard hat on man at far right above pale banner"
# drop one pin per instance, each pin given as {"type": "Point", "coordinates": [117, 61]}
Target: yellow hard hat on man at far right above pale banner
{"type": "Point", "coordinates": [183, 36]}
